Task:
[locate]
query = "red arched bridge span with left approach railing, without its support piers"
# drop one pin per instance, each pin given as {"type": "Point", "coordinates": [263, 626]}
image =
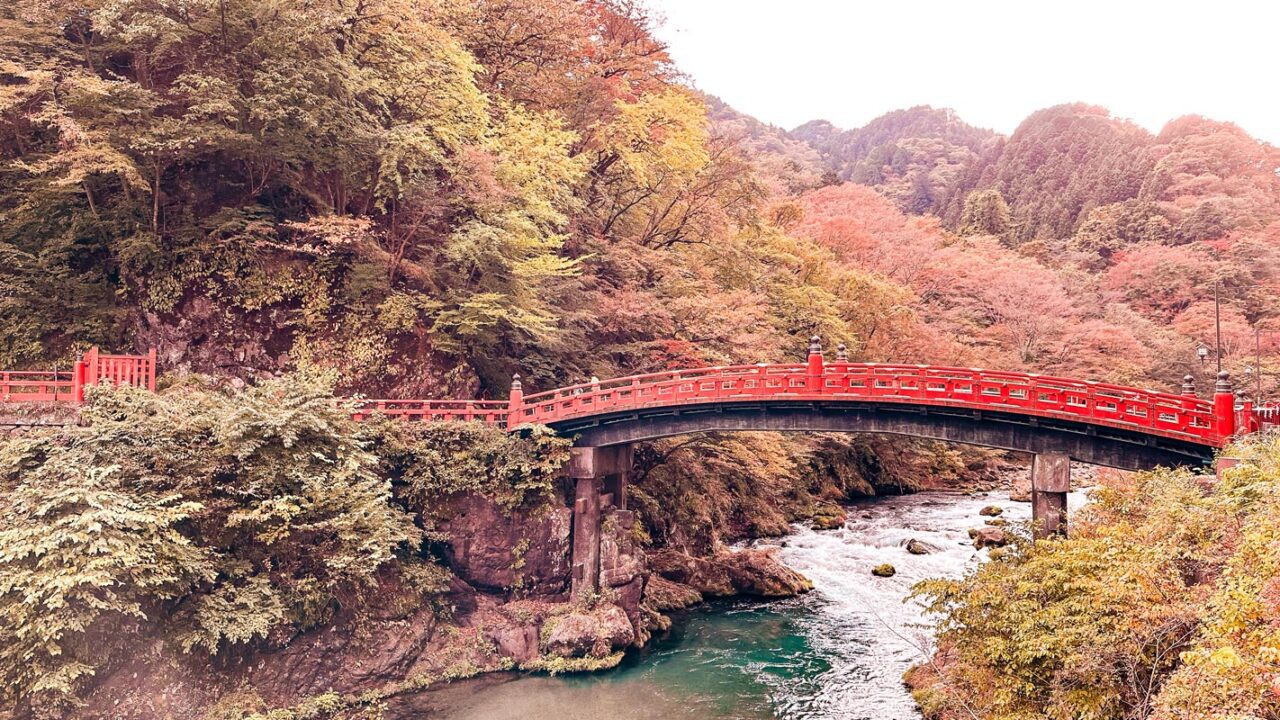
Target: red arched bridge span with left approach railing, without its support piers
{"type": "Point", "coordinates": [1178, 425]}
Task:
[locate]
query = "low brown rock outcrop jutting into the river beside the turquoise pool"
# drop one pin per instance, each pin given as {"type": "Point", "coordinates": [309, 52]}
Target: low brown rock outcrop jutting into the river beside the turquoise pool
{"type": "Point", "coordinates": [755, 572]}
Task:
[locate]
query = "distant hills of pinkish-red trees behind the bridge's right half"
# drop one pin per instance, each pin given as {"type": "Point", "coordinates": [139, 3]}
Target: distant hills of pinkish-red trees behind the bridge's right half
{"type": "Point", "coordinates": [1114, 238]}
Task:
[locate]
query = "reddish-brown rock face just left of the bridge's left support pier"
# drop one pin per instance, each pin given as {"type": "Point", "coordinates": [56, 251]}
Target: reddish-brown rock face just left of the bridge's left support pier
{"type": "Point", "coordinates": [522, 554]}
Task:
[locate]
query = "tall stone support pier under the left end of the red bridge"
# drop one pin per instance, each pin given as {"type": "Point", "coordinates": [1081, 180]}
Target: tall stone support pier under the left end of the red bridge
{"type": "Point", "coordinates": [600, 479]}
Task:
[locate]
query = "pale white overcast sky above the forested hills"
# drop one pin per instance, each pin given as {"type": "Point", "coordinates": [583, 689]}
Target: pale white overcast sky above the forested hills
{"type": "Point", "coordinates": [788, 62]}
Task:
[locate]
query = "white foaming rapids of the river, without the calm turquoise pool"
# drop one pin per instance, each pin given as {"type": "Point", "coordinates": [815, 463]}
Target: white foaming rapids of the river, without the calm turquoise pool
{"type": "Point", "coordinates": [863, 625]}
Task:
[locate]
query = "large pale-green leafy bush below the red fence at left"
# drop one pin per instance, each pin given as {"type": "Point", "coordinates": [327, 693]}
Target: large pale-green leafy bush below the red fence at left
{"type": "Point", "coordinates": [226, 518]}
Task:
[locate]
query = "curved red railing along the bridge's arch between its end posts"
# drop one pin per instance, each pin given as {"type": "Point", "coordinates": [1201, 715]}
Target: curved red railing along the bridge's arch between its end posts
{"type": "Point", "coordinates": [1167, 414]}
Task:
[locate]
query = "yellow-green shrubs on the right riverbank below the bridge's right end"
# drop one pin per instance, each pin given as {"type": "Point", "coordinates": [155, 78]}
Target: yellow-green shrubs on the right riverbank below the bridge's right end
{"type": "Point", "coordinates": [1163, 604]}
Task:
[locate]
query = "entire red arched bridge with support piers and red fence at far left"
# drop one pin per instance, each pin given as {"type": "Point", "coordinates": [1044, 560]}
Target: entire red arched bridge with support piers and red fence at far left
{"type": "Point", "coordinates": [1054, 420]}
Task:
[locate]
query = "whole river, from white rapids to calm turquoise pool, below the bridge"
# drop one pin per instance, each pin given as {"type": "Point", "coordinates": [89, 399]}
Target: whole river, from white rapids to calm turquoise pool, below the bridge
{"type": "Point", "coordinates": [836, 654]}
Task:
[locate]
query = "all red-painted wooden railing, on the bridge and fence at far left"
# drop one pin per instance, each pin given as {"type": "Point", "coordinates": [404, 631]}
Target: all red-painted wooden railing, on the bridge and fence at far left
{"type": "Point", "coordinates": [1180, 417]}
